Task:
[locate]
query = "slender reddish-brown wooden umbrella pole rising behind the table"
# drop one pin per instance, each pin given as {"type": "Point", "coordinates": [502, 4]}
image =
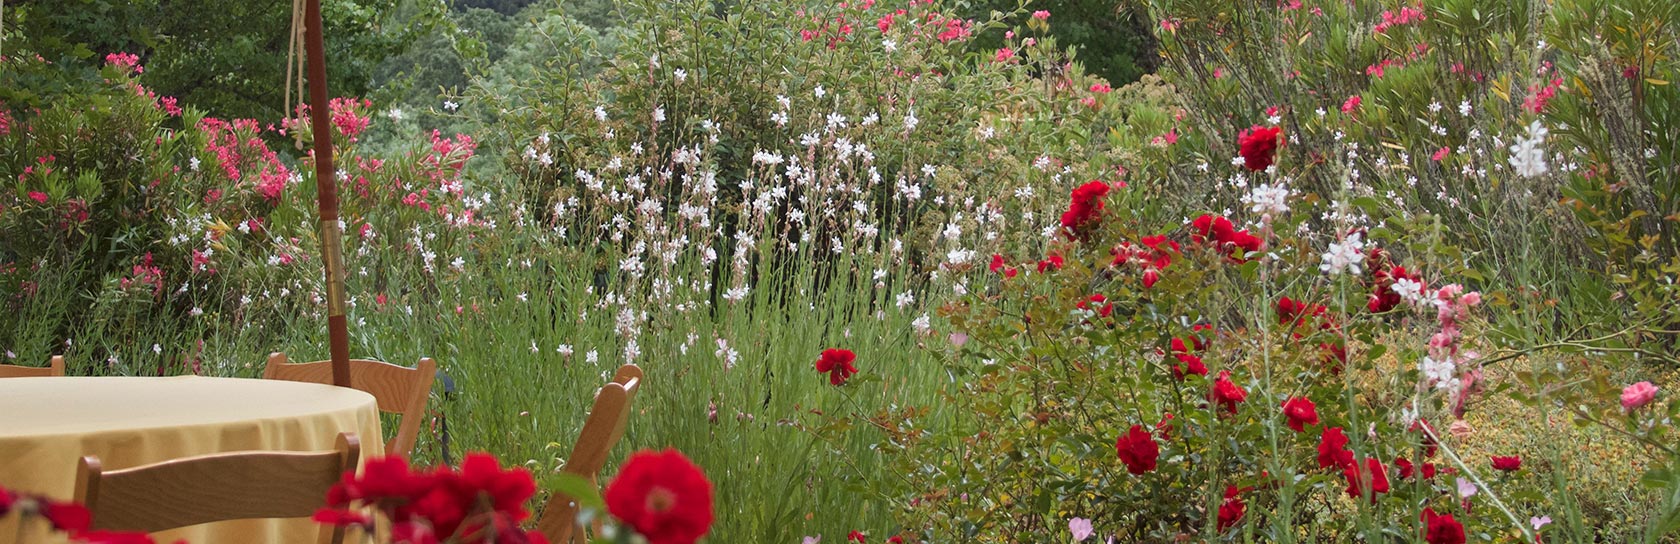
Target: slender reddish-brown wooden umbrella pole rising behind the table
{"type": "Point", "coordinates": [327, 191]}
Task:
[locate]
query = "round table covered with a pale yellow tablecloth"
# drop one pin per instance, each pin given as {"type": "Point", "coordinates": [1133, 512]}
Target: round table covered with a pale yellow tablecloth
{"type": "Point", "coordinates": [50, 424]}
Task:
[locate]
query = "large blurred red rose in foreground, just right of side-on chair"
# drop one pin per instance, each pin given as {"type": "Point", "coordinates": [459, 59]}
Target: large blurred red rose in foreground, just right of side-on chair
{"type": "Point", "coordinates": [663, 496]}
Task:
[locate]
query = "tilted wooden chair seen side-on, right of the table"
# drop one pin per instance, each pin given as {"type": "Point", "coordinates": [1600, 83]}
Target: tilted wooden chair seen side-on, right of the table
{"type": "Point", "coordinates": [597, 439]}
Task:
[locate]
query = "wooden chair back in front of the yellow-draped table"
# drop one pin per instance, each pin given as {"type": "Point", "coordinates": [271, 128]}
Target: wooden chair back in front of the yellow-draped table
{"type": "Point", "coordinates": [216, 488]}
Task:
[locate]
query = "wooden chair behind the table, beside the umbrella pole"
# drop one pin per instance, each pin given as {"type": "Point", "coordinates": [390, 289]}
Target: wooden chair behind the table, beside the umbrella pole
{"type": "Point", "coordinates": [397, 389]}
